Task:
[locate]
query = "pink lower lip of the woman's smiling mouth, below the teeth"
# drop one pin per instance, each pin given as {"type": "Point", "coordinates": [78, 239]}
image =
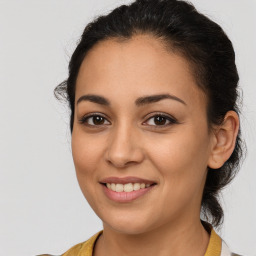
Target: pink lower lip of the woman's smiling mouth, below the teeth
{"type": "Point", "coordinates": [125, 197]}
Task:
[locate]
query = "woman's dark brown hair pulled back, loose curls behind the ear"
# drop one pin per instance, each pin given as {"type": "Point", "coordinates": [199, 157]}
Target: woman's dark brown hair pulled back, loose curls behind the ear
{"type": "Point", "coordinates": [202, 42]}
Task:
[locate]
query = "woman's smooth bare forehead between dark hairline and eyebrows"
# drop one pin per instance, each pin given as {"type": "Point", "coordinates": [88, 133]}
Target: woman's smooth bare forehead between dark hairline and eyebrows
{"type": "Point", "coordinates": [134, 67]}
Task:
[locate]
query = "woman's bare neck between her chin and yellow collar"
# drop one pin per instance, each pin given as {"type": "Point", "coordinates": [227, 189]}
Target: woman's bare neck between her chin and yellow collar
{"type": "Point", "coordinates": [174, 239]}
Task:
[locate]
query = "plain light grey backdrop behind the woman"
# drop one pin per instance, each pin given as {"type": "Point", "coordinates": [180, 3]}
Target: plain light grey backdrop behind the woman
{"type": "Point", "coordinates": [41, 207]}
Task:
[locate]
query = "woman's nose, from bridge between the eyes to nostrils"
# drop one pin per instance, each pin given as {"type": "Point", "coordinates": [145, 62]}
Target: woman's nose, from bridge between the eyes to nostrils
{"type": "Point", "coordinates": [124, 147]}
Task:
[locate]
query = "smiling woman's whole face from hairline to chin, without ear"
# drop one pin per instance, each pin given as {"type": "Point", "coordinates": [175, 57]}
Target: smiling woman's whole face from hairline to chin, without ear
{"type": "Point", "coordinates": [140, 118]}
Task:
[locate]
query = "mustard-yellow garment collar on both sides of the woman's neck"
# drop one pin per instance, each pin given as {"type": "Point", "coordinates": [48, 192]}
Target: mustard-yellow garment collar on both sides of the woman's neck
{"type": "Point", "coordinates": [86, 248]}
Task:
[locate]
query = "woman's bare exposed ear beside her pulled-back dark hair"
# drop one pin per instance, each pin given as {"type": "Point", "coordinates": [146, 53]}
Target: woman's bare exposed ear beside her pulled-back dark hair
{"type": "Point", "coordinates": [224, 140]}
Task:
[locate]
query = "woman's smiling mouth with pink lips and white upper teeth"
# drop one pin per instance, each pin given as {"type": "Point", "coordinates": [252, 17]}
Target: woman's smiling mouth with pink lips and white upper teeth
{"type": "Point", "coordinates": [126, 189]}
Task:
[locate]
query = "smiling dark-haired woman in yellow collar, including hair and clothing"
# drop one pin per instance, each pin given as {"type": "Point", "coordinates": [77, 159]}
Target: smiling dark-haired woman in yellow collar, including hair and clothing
{"type": "Point", "coordinates": [152, 89]}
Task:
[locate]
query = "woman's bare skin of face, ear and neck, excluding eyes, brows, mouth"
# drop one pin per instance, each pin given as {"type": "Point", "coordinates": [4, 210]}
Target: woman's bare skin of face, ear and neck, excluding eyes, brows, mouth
{"type": "Point", "coordinates": [165, 221]}
